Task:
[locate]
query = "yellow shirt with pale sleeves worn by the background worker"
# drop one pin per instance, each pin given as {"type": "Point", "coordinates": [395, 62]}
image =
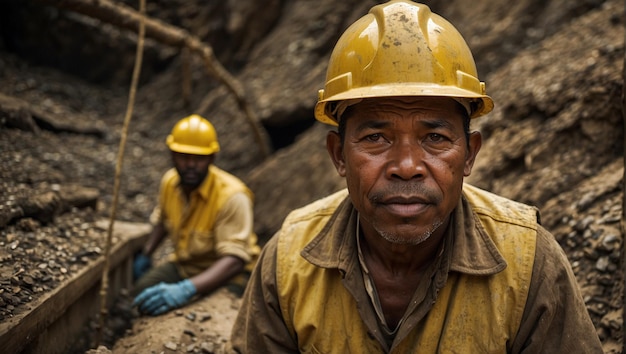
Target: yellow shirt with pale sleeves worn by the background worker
{"type": "Point", "coordinates": [216, 221]}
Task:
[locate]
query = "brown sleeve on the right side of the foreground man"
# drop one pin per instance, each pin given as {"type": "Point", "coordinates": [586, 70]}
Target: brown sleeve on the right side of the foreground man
{"type": "Point", "coordinates": [555, 319]}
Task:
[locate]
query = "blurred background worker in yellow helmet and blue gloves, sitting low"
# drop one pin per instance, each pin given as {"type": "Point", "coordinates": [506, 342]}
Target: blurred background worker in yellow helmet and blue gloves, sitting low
{"type": "Point", "coordinates": [207, 212]}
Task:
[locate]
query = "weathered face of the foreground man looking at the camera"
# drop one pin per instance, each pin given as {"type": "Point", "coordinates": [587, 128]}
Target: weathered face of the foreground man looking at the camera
{"type": "Point", "coordinates": [404, 160]}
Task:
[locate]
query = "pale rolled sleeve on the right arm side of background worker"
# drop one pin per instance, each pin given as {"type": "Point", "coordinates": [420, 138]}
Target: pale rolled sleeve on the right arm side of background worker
{"type": "Point", "coordinates": [234, 228]}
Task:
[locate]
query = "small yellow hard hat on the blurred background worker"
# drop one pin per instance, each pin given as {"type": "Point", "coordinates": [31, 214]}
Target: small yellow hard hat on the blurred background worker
{"type": "Point", "coordinates": [193, 135]}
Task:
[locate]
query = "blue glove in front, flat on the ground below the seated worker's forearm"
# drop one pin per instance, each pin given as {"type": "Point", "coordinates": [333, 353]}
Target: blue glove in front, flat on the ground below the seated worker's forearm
{"type": "Point", "coordinates": [163, 297]}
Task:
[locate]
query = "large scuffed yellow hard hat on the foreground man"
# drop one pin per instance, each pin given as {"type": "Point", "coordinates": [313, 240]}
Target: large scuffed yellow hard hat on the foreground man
{"type": "Point", "coordinates": [401, 48]}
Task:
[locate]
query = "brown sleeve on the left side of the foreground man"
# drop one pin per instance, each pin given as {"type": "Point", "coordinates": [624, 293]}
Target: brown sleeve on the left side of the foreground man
{"type": "Point", "coordinates": [259, 326]}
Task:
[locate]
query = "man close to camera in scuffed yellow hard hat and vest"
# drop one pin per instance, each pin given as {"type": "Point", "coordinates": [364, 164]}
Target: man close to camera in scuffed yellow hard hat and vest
{"type": "Point", "coordinates": [409, 259]}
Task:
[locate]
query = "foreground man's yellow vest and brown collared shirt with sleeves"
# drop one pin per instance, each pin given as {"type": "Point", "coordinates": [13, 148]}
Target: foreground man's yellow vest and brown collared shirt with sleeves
{"type": "Point", "coordinates": [500, 284]}
